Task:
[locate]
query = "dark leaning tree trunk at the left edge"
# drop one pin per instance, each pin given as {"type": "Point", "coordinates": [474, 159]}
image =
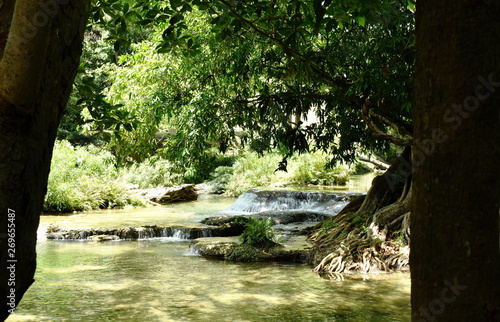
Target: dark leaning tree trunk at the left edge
{"type": "Point", "coordinates": [40, 46]}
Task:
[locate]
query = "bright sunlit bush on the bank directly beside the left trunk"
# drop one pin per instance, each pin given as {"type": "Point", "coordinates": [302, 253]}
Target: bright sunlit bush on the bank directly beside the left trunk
{"type": "Point", "coordinates": [84, 178]}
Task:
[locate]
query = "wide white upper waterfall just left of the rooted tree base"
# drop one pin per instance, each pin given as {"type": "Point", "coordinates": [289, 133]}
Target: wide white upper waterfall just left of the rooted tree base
{"type": "Point", "coordinates": [256, 200]}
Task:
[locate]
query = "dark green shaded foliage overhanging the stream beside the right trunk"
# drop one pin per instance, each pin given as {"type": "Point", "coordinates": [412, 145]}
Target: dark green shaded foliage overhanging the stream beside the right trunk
{"type": "Point", "coordinates": [291, 61]}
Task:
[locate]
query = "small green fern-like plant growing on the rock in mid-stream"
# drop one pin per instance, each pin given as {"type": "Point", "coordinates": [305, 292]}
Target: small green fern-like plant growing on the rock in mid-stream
{"type": "Point", "coordinates": [259, 233]}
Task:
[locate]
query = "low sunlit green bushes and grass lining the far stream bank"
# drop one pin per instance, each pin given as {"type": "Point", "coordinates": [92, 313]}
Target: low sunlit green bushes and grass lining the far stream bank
{"type": "Point", "coordinates": [86, 177]}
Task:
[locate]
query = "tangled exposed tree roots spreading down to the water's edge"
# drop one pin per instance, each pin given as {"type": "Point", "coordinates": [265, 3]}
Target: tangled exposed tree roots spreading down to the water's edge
{"type": "Point", "coordinates": [365, 243]}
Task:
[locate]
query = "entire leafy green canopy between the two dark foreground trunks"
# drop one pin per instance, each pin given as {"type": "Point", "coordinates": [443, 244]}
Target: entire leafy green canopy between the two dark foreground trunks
{"type": "Point", "coordinates": [216, 74]}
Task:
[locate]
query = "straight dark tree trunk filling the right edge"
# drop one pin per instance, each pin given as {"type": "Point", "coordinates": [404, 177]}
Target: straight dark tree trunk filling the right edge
{"type": "Point", "coordinates": [455, 261]}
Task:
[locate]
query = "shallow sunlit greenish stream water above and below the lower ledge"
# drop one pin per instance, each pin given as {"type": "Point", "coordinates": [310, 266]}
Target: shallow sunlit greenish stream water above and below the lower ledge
{"type": "Point", "coordinates": [159, 279]}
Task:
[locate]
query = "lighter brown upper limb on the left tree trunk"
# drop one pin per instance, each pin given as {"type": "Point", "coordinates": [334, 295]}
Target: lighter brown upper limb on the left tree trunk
{"type": "Point", "coordinates": [25, 52]}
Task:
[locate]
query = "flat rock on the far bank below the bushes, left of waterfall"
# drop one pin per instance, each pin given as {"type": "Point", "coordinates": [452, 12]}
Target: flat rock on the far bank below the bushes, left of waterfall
{"type": "Point", "coordinates": [164, 195]}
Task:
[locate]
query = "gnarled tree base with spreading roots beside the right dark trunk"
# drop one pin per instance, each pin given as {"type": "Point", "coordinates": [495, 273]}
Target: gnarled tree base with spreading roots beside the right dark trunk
{"type": "Point", "coordinates": [372, 232]}
